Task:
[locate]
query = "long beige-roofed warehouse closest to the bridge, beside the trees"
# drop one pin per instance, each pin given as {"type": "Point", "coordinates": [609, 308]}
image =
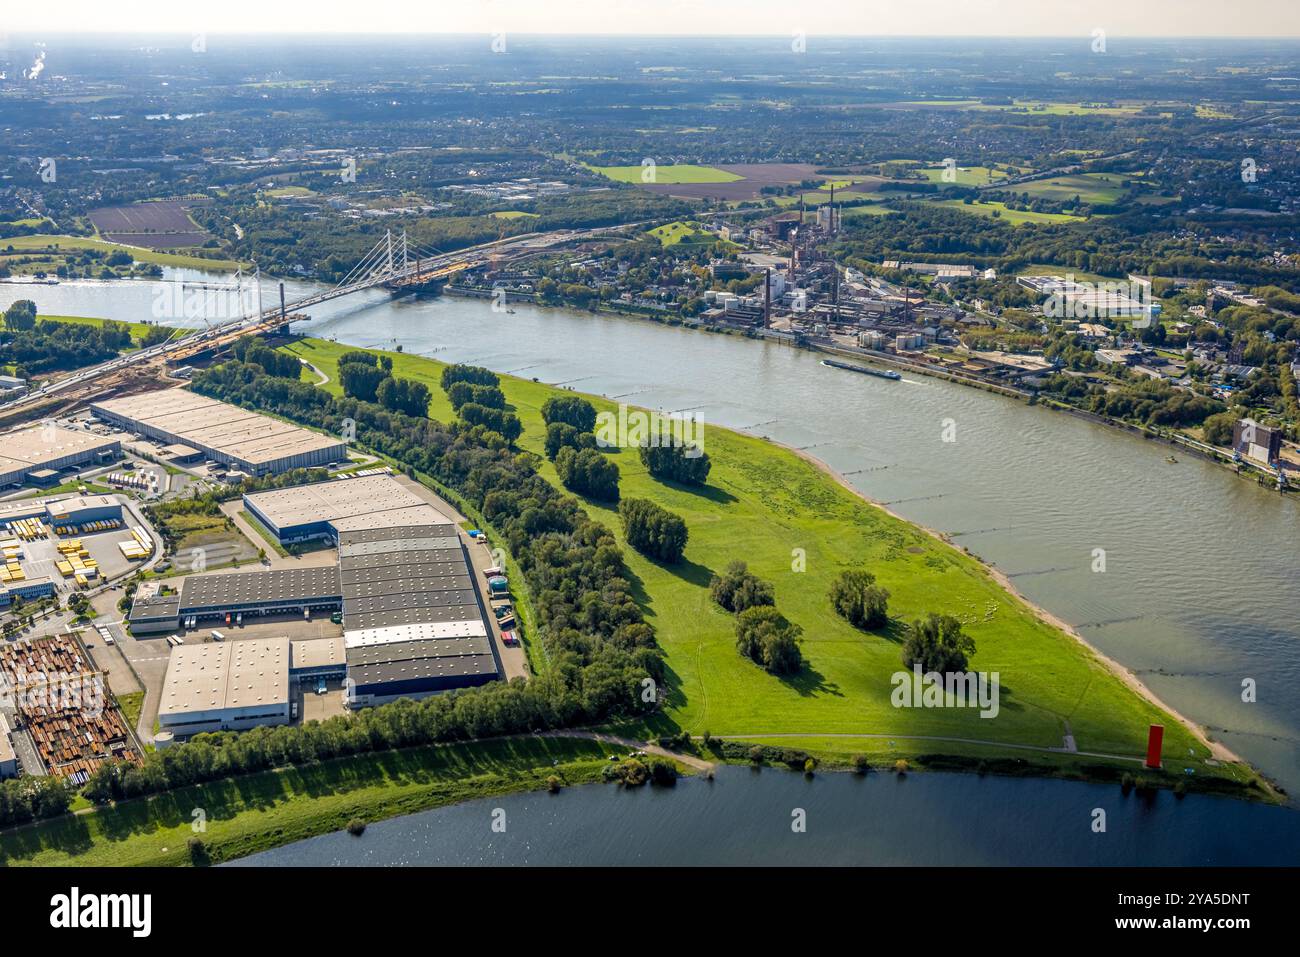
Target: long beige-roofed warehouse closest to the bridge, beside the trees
{"type": "Point", "coordinates": [236, 438]}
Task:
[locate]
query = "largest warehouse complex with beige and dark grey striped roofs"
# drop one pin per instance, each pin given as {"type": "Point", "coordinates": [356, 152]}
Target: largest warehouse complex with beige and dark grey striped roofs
{"type": "Point", "coordinates": [414, 617]}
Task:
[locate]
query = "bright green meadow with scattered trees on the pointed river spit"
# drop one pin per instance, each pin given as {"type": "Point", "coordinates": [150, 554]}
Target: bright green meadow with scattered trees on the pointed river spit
{"type": "Point", "coordinates": [766, 505]}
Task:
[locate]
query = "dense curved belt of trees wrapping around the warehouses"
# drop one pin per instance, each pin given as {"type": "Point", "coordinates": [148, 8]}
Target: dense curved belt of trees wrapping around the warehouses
{"type": "Point", "coordinates": [597, 642]}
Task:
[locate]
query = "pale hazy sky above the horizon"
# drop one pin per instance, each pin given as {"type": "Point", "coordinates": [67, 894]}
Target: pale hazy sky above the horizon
{"type": "Point", "coordinates": [725, 18]}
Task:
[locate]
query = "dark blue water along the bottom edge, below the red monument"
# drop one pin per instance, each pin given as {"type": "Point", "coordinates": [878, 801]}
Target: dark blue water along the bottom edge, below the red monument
{"type": "Point", "coordinates": [748, 819]}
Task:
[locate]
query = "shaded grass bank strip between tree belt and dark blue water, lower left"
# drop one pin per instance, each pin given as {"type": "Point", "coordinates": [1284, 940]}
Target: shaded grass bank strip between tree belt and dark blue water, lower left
{"type": "Point", "coordinates": [275, 808]}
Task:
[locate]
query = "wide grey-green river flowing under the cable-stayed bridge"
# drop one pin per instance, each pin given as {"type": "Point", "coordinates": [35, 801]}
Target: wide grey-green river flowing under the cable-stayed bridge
{"type": "Point", "coordinates": [1202, 569]}
